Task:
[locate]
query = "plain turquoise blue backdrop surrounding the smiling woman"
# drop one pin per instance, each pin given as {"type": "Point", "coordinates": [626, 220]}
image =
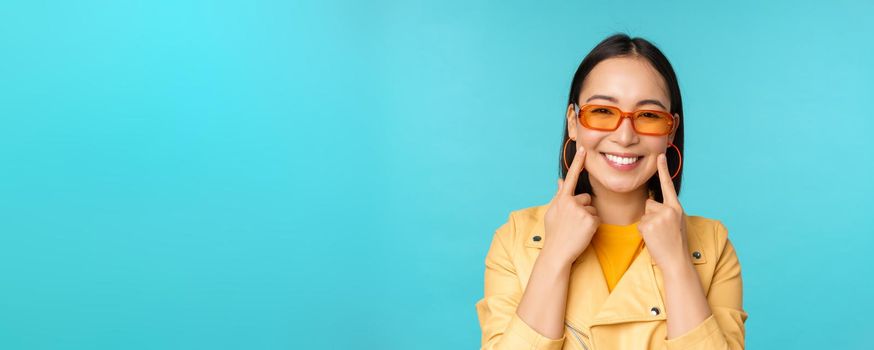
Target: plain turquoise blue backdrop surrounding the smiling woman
{"type": "Point", "coordinates": [278, 175]}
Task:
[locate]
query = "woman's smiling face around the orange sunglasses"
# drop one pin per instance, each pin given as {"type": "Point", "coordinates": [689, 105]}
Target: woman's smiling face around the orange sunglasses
{"type": "Point", "coordinates": [621, 160]}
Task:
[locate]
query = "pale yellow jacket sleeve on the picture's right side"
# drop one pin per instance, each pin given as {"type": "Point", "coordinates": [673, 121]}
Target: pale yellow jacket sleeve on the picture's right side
{"type": "Point", "coordinates": [724, 329]}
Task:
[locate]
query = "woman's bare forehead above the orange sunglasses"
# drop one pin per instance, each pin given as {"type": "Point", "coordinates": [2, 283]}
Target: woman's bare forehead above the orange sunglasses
{"type": "Point", "coordinates": [628, 79]}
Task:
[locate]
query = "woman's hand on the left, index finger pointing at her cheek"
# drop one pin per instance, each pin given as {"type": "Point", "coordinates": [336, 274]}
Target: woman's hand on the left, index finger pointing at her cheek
{"type": "Point", "coordinates": [570, 221]}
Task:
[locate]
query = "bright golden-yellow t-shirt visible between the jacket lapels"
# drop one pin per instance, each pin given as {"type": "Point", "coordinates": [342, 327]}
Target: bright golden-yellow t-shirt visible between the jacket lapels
{"type": "Point", "coordinates": [616, 247]}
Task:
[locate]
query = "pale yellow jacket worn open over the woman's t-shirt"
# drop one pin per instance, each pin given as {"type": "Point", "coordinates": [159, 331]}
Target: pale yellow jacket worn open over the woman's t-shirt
{"type": "Point", "coordinates": [633, 316]}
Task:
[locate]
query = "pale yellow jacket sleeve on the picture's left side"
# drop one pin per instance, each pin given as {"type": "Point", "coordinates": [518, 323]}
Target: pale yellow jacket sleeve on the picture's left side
{"type": "Point", "coordinates": [501, 327]}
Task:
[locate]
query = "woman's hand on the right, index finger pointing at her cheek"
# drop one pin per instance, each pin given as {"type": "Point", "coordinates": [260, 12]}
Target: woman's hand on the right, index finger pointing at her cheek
{"type": "Point", "coordinates": [663, 226]}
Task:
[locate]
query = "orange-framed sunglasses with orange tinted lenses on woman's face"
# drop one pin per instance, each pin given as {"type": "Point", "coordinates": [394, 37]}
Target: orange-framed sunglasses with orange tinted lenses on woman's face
{"type": "Point", "coordinates": [608, 118]}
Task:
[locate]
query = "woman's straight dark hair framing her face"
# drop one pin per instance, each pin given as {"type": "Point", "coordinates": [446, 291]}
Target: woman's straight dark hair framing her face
{"type": "Point", "coordinates": [619, 45]}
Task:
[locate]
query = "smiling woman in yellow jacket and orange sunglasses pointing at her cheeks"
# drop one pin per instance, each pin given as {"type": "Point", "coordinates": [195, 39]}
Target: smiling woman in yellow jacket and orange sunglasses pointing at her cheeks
{"type": "Point", "coordinates": [612, 261]}
